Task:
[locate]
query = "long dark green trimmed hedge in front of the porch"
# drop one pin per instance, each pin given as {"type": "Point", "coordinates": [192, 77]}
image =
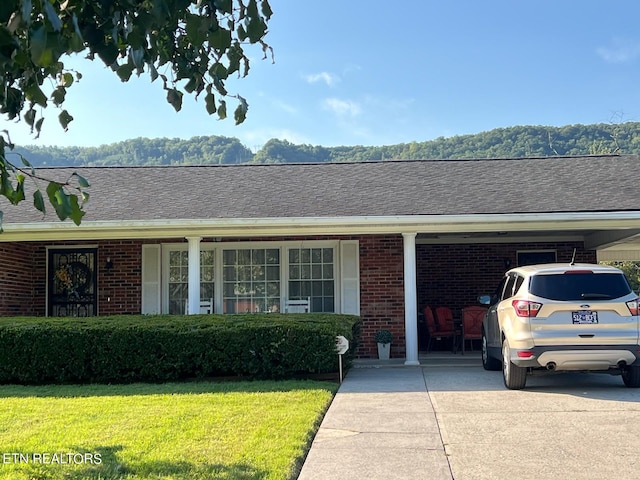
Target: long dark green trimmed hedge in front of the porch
{"type": "Point", "coordinates": [159, 348]}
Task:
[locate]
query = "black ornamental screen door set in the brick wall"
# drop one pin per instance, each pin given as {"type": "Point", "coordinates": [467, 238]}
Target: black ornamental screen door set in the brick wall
{"type": "Point", "coordinates": [72, 283]}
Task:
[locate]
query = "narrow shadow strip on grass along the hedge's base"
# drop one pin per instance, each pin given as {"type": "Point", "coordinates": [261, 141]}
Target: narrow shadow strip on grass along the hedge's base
{"type": "Point", "coordinates": [141, 389]}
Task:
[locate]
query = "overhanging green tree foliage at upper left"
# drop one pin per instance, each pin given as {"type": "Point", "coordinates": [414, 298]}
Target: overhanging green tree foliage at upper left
{"type": "Point", "coordinates": [191, 46]}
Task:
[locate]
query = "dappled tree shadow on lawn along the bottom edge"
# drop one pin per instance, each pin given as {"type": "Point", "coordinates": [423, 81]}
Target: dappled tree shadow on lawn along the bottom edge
{"type": "Point", "coordinates": [103, 464]}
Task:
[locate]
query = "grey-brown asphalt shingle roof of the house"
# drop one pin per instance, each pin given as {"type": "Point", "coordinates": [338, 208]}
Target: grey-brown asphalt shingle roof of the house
{"type": "Point", "coordinates": [429, 187]}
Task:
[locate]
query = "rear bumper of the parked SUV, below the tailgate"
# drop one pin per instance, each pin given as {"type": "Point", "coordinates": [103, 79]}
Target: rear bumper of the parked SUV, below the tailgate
{"type": "Point", "coordinates": [592, 357]}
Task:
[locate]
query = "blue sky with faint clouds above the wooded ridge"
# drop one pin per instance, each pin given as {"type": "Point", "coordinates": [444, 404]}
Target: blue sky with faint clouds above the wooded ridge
{"type": "Point", "coordinates": [372, 72]}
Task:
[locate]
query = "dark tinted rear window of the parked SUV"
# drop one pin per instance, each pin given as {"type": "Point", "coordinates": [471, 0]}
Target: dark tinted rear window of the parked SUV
{"type": "Point", "coordinates": [580, 286]}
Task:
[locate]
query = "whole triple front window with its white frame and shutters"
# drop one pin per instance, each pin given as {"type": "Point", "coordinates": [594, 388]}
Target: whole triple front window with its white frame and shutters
{"type": "Point", "coordinates": [254, 277]}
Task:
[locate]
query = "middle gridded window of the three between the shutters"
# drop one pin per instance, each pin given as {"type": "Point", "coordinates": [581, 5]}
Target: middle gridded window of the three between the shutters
{"type": "Point", "coordinates": [251, 279]}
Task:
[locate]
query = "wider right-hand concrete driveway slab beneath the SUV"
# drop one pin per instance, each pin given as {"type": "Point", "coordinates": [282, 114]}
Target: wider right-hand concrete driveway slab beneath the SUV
{"type": "Point", "coordinates": [565, 426]}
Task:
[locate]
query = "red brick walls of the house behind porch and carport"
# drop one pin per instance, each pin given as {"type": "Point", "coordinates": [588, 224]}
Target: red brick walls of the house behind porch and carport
{"type": "Point", "coordinates": [451, 275]}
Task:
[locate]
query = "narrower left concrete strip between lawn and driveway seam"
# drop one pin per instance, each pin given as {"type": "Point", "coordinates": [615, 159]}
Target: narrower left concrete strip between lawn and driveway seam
{"type": "Point", "coordinates": [380, 425]}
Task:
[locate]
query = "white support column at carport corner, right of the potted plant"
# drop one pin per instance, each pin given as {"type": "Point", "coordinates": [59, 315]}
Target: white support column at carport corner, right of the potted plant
{"type": "Point", "coordinates": [410, 299]}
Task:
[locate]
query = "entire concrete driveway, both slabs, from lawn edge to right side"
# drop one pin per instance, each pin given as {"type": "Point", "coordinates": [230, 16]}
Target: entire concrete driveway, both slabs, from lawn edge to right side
{"type": "Point", "coordinates": [450, 419]}
